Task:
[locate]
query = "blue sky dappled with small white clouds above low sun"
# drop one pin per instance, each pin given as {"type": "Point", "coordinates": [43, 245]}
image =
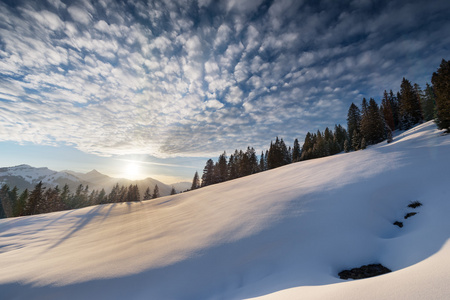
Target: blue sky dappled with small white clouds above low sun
{"type": "Point", "coordinates": [158, 87]}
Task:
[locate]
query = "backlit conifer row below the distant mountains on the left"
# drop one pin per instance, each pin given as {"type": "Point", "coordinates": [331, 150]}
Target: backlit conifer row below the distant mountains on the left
{"type": "Point", "coordinates": [47, 199]}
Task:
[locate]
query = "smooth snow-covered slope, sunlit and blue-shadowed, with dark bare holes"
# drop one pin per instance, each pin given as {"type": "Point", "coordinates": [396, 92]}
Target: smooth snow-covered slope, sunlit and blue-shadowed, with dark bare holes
{"type": "Point", "coordinates": [281, 234]}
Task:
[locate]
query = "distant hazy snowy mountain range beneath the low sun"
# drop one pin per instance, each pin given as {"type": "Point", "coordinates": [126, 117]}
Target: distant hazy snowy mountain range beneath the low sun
{"type": "Point", "coordinates": [26, 177]}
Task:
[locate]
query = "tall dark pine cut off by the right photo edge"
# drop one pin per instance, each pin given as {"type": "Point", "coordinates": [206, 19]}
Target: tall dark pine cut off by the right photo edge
{"type": "Point", "coordinates": [441, 83]}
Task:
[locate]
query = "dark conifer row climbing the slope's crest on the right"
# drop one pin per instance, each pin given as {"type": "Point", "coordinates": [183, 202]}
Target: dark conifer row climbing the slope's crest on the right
{"type": "Point", "coordinates": [367, 125]}
